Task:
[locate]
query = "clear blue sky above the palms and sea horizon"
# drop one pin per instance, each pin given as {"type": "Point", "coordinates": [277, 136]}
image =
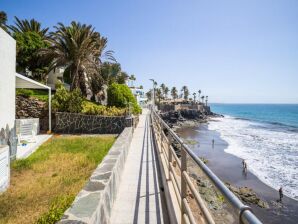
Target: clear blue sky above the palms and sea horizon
{"type": "Point", "coordinates": [240, 51]}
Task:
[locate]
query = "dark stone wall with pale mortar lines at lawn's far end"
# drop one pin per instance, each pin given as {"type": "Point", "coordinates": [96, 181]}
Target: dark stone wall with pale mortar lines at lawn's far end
{"type": "Point", "coordinates": [73, 123]}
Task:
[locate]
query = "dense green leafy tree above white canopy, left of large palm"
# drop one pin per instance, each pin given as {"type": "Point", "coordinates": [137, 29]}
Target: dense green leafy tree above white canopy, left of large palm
{"type": "Point", "coordinates": [28, 45]}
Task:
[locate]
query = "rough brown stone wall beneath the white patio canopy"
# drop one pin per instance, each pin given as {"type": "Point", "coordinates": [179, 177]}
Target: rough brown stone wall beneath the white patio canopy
{"type": "Point", "coordinates": [28, 107]}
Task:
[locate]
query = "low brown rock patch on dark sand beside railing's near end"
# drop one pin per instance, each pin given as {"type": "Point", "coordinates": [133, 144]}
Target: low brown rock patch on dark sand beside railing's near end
{"type": "Point", "coordinates": [247, 195]}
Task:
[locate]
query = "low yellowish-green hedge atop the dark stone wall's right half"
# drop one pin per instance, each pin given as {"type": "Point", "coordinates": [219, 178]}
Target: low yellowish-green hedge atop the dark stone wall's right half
{"type": "Point", "coordinates": [95, 109]}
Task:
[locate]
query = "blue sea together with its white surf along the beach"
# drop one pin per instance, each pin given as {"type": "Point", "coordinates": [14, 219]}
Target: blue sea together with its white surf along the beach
{"type": "Point", "coordinates": [266, 136]}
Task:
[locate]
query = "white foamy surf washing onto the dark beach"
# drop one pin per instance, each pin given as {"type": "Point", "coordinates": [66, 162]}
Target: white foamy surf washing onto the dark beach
{"type": "Point", "coordinates": [271, 154]}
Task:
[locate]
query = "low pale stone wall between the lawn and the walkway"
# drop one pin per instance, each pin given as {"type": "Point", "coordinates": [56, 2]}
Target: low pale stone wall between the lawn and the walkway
{"type": "Point", "coordinates": [94, 203]}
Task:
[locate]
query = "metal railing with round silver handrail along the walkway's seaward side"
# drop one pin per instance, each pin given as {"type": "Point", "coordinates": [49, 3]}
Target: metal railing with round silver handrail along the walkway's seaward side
{"type": "Point", "coordinates": [182, 181]}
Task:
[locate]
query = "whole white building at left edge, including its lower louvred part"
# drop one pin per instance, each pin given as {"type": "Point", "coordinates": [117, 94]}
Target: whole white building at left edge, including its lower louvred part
{"type": "Point", "coordinates": [7, 104]}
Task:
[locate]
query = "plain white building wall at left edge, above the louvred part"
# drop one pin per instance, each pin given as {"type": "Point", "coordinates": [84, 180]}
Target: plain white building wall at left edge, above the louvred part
{"type": "Point", "coordinates": [7, 84]}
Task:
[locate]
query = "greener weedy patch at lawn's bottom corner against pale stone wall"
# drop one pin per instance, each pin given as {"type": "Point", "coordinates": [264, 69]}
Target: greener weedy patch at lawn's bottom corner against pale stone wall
{"type": "Point", "coordinates": [57, 208]}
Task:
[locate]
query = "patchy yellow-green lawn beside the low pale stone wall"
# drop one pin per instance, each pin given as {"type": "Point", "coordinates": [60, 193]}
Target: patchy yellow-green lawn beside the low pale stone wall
{"type": "Point", "coordinates": [45, 184]}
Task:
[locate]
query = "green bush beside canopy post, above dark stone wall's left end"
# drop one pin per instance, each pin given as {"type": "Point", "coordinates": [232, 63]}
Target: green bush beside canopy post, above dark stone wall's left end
{"type": "Point", "coordinates": [65, 101]}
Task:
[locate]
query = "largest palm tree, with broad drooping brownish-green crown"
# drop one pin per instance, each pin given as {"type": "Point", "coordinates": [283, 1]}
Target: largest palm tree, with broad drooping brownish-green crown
{"type": "Point", "coordinates": [79, 48]}
